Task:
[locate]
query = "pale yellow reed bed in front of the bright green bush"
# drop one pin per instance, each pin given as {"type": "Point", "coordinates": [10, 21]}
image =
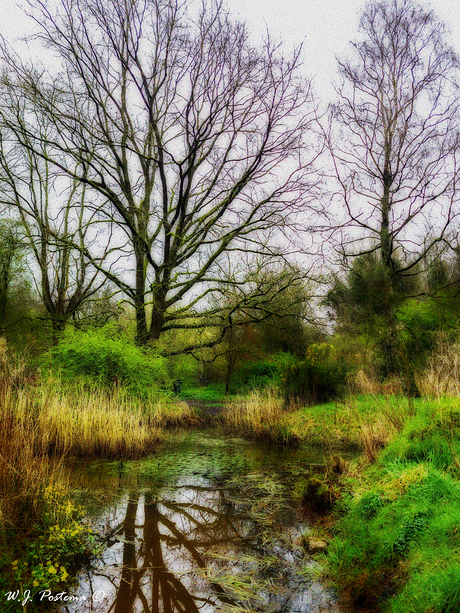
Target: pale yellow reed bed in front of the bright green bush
{"type": "Point", "coordinates": [90, 423]}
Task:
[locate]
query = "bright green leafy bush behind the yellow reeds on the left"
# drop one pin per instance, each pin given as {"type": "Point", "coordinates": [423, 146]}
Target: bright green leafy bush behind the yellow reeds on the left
{"type": "Point", "coordinates": [106, 359]}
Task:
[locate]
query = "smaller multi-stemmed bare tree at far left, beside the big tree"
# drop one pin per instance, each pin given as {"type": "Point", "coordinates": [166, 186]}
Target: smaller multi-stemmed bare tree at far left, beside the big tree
{"type": "Point", "coordinates": [55, 227]}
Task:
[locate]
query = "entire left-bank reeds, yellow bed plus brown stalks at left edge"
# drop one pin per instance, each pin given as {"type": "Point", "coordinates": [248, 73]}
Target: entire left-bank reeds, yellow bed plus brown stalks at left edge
{"type": "Point", "coordinates": [41, 419]}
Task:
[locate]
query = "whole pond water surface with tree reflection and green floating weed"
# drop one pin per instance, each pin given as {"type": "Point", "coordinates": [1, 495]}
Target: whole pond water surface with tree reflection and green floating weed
{"type": "Point", "coordinates": [206, 525]}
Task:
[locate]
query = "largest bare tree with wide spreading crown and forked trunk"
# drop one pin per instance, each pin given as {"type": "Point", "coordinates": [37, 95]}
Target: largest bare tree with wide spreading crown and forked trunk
{"type": "Point", "coordinates": [192, 141]}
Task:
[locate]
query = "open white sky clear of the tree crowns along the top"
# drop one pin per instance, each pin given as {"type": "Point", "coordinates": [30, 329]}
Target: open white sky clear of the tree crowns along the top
{"type": "Point", "coordinates": [325, 28]}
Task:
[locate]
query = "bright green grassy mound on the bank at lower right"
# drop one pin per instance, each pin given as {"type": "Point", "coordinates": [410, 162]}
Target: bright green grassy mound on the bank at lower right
{"type": "Point", "coordinates": [397, 542]}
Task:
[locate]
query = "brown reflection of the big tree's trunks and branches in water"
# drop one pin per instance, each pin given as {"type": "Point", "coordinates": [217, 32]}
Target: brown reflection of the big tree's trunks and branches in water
{"type": "Point", "coordinates": [161, 545]}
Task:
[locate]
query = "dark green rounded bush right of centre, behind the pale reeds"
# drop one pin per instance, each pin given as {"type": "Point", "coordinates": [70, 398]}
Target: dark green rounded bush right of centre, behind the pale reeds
{"type": "Point", "coordinates": [318, 378]}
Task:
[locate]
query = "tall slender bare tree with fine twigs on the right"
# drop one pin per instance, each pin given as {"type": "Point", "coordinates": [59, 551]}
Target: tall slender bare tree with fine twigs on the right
{"type": "Point", "coordinates": [396, 137]}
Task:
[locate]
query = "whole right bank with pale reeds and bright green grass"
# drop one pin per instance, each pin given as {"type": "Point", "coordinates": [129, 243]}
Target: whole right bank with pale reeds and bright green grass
{"type": "Point", "coordinates": [395, 542]}
